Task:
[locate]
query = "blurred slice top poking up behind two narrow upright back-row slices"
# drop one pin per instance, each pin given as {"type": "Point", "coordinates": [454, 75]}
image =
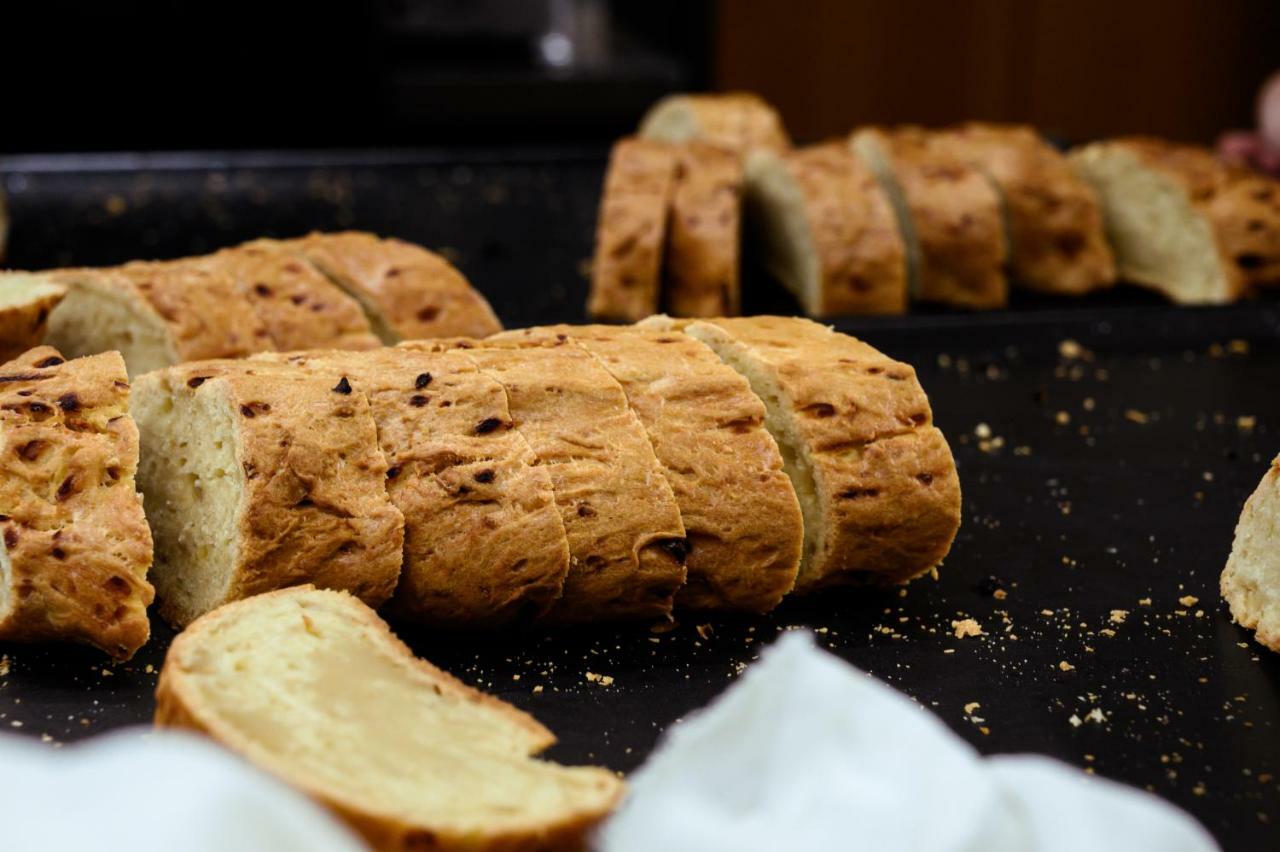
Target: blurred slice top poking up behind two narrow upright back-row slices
{"type": "Point", "coordinates": [740, 122]}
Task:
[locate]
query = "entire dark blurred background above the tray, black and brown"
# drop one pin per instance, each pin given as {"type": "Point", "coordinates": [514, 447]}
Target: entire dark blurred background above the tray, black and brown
{"type": "Point", "coordinates": [164, 75]}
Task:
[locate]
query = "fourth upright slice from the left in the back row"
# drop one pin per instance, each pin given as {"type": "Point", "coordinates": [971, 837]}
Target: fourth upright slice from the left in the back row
{"type": "Point", "coordinates": [949, 216]}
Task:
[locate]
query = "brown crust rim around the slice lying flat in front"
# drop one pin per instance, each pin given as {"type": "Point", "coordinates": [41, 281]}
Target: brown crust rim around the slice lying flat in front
{"type": "Point", "coordinates": [179, 706]}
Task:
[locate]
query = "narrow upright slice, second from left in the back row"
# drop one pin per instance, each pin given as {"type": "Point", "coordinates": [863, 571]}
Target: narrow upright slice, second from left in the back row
{"type": "Point", "coordinates": [705, 246]}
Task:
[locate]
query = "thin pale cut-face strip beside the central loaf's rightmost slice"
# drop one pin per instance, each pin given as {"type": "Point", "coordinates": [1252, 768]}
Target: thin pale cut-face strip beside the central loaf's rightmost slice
{"type": "Point", "coordinates": [796, 456]}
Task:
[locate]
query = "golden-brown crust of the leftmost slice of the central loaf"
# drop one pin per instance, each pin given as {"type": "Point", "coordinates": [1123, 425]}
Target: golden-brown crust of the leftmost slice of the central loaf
{"type": "Point", "coordinates": [314, 507]}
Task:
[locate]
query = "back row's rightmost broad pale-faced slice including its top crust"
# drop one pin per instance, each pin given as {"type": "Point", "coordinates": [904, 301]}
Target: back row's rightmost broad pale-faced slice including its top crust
{"type": "Point", "coordinates": [1158, 207]}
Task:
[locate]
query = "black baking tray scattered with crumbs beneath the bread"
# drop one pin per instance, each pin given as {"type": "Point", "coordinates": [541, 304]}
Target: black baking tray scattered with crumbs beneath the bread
{"type": "Point", "coordinates": [1130, 436]}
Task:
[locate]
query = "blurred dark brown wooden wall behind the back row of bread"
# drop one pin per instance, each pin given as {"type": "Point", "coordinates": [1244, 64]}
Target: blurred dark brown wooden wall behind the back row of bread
{"type": "Point", "coordinates": [1081, 68]}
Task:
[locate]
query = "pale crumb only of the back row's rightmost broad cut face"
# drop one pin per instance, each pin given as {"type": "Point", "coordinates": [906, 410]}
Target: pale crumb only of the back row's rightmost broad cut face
{"type": "Point", "coordinates": [1160, 240]}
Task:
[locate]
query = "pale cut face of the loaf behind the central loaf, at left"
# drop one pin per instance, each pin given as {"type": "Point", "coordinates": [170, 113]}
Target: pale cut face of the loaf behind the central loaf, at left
{"type": "Point", "coordinates": [99, 318]}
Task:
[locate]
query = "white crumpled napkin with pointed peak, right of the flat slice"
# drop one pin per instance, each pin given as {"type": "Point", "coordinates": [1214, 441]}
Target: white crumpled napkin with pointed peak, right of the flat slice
{"type": "Point", "coordinates": [807, 753]}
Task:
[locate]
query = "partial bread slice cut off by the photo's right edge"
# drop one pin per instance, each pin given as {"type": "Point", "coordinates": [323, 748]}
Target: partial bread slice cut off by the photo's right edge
{"type": "Point", "coordinates": [1251, 581]}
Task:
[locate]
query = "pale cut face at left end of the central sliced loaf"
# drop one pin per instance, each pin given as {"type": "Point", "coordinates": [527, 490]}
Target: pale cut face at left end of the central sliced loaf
{"type": "Point", "coordinates": [193, 488]}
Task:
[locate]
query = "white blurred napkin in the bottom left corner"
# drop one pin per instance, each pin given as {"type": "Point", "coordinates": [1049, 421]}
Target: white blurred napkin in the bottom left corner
{"type": "Point", "coordinates": [153, 793]}
